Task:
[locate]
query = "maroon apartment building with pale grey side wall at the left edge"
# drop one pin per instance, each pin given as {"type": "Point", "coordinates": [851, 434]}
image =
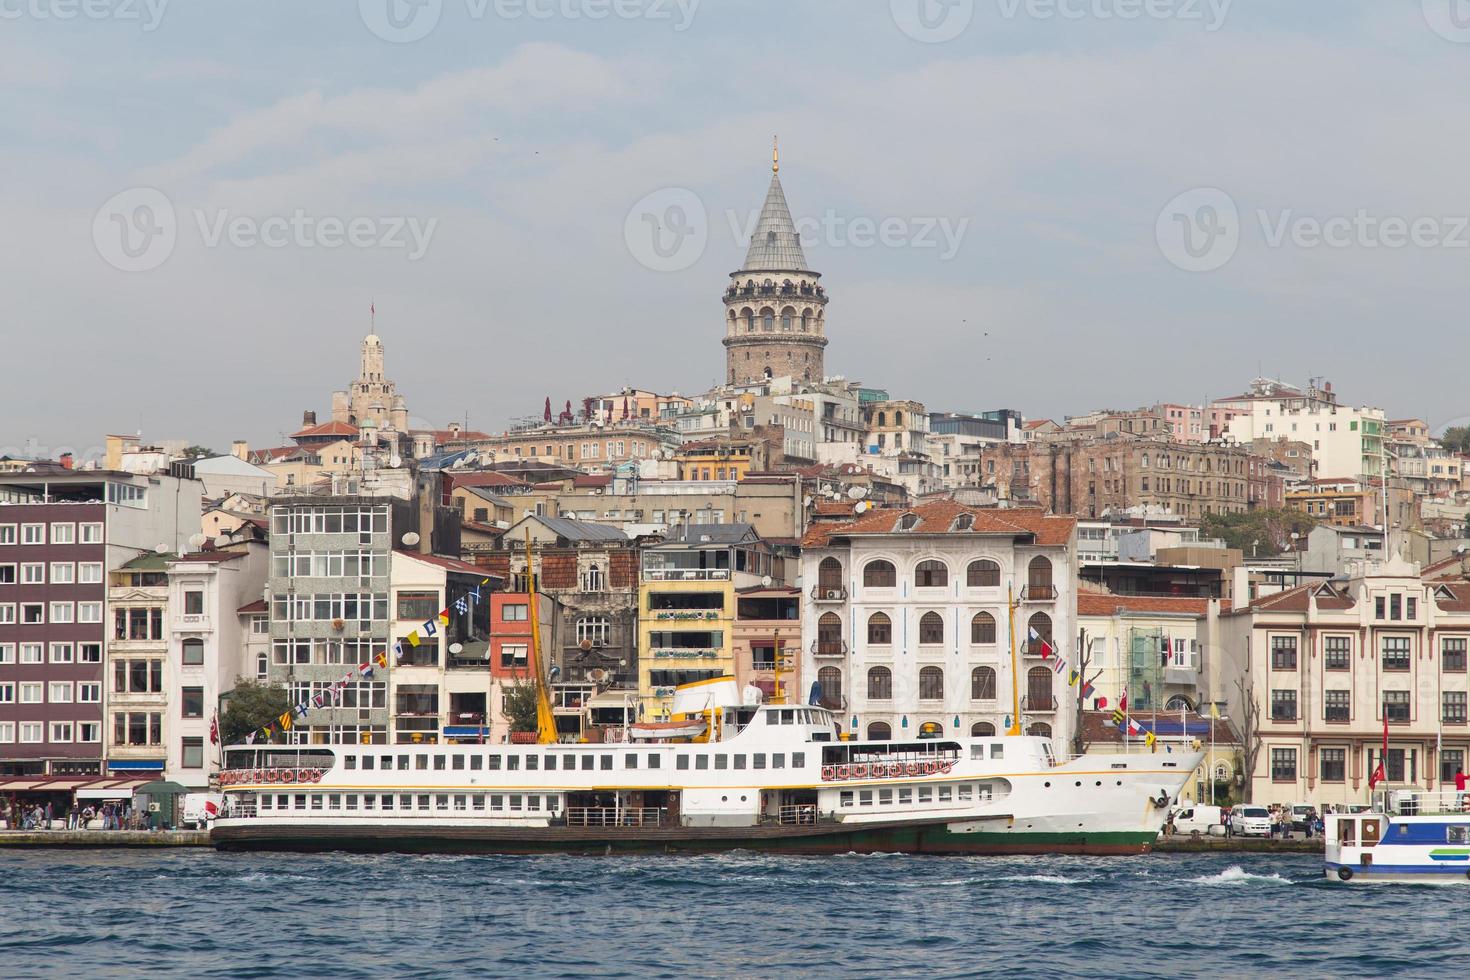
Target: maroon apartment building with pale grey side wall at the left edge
{"type": "Point", "coordinates": [61, 533]}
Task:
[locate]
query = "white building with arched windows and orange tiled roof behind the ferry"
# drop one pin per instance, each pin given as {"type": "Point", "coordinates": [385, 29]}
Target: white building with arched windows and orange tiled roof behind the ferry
{"type": "Point", "coordinates": [908, 624]}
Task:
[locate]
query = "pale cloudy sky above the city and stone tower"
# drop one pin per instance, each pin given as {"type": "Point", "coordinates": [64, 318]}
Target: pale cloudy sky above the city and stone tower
{"type": "Point", "coordinates": [1044, 205]}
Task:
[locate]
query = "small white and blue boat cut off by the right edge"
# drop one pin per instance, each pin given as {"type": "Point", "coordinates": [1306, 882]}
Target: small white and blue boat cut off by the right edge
{"type": "Point", "coordinates": [1408, 837]}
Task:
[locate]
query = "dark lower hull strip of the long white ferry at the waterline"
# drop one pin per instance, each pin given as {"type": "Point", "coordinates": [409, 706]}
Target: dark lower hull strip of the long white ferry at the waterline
{"type": "Point", "coordinates": [931, 838]}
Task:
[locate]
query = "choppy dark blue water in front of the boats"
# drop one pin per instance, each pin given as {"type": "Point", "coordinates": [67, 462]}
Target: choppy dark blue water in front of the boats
{"type": "Point", "coordinates": [205, 915]}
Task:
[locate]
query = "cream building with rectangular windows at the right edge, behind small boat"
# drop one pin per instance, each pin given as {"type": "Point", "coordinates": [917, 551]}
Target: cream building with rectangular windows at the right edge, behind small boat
{"type": "Point", "coordinates": [1327, 663]}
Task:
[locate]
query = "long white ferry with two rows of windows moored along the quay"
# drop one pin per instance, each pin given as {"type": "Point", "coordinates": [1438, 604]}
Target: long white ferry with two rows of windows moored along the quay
{"type": "Point", "coordinates": [759, 777]}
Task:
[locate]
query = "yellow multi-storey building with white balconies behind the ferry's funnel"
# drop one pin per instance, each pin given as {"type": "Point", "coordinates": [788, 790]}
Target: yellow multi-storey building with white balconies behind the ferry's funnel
{"type": "Point", "coordinates": [687, 608]}
